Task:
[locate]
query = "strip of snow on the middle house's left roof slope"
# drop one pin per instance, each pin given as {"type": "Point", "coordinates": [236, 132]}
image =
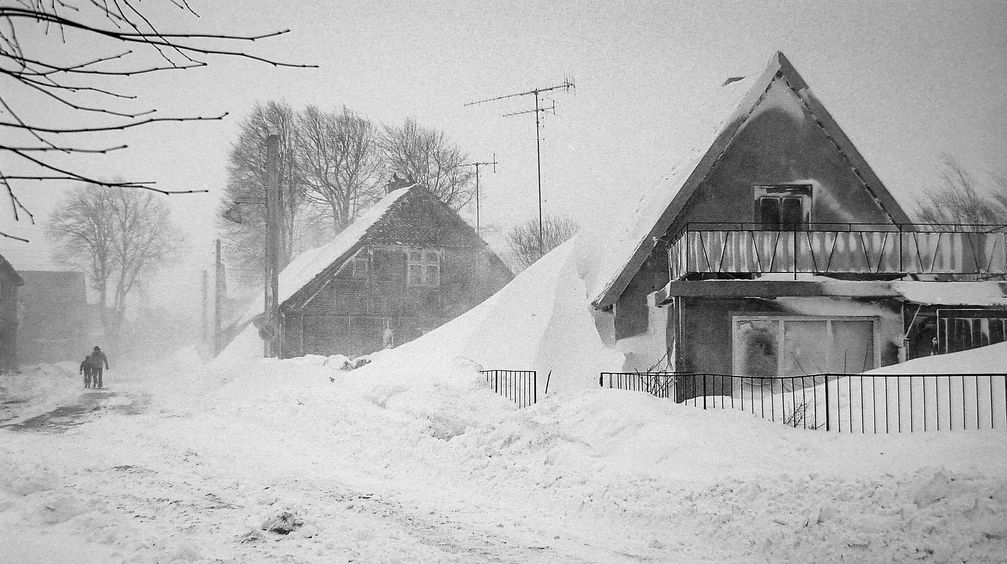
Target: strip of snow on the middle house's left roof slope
{"type": "Point", "coordinates": [314, 262]}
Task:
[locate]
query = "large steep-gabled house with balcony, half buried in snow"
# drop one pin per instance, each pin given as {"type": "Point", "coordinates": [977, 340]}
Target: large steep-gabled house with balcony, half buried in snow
{"type": "Point", "coordinates": [776, 250]}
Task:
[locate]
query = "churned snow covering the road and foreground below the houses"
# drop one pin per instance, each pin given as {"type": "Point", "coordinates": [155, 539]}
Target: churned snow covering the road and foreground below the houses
{"type": "Point", "coordinates": [411, 460]}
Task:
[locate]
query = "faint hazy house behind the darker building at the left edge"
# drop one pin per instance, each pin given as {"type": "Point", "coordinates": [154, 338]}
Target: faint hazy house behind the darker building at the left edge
{"type": "Point", "coordinates": [57, 321]}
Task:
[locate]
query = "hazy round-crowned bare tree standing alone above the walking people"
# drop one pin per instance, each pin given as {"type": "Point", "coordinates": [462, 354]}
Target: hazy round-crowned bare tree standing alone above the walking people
{"type": "Point", "coordinates": [120, 237]}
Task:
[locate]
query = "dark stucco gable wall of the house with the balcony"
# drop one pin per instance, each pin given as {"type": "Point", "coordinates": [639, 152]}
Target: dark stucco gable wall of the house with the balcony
{"type": "Point", "coordinates": [780, 143]}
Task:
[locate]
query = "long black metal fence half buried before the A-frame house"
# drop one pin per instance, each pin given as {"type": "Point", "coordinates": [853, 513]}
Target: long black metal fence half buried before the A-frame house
{"type": "Point", "coordinates": [853, 403]}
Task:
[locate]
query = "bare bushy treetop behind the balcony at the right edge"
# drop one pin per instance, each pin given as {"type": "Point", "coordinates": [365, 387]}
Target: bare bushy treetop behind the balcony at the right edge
{"type": "Point", "coordinates": [961, 199]}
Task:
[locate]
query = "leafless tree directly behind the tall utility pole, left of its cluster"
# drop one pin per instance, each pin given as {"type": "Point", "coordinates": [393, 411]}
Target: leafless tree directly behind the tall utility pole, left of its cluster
{"type": "Point", "coordinates": [247, 181]}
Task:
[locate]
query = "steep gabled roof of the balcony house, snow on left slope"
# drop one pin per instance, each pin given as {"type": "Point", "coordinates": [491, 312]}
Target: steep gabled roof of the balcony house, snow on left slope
{"type": "Point", "coordinates": [658, 211]}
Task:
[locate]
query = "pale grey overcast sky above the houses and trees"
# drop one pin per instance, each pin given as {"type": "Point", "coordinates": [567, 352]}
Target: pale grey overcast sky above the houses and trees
{"type": "Point", "coordinates": [907, 81]}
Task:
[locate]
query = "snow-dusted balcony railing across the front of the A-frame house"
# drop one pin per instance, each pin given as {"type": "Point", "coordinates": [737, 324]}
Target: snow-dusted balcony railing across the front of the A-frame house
{"type": "Point", "coordinates": [839, 249]}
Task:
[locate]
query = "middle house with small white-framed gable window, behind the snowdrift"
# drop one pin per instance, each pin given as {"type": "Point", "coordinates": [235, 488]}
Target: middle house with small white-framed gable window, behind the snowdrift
{"type": "Point", "coordinates": [405, 267]}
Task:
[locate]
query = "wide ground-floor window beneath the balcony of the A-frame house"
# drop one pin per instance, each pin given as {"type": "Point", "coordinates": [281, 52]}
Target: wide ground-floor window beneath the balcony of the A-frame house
{"type": "Point", "coordinates": [771, 347]}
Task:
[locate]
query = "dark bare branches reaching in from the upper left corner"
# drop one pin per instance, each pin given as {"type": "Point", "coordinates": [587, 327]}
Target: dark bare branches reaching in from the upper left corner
{"type": "Point", "coordinates": [64, 92]}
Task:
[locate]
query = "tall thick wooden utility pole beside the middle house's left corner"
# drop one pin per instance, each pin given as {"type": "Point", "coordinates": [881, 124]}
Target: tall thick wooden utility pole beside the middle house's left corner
{"type": "Point", "coordinates": [271, 321]}
